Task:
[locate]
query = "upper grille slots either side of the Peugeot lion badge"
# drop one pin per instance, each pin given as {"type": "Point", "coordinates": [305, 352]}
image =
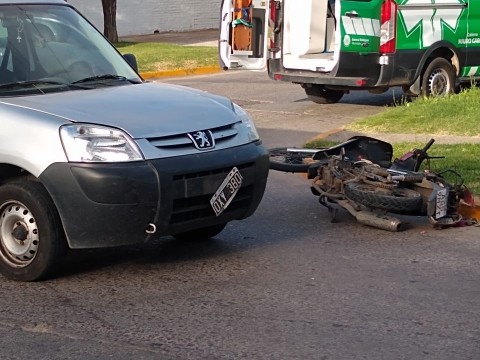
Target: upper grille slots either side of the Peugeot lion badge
{"type": "Point", "coordinates": [220, 134]}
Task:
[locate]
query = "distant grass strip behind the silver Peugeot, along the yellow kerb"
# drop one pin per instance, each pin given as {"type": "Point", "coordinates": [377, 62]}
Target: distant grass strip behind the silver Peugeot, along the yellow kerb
{"type": "Point", "coordinates": [162, 56]}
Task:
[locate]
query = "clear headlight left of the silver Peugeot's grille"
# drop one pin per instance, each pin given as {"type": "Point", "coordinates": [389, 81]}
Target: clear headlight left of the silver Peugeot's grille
{"type": "Point", "coordinates": [93, 143]}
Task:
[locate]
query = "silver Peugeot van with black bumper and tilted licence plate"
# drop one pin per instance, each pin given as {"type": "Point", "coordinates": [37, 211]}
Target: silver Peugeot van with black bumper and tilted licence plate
{"type": "Point", "coordinates": [93, 156]}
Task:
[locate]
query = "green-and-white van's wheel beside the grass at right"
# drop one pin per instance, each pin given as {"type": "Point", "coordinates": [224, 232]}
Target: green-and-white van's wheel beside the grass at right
{"type": "Point", "coordinates": [438, 78]}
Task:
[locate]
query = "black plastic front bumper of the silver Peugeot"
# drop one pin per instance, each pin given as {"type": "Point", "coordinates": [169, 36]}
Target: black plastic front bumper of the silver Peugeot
{"type": "Point", "coordinates": [103, 205]}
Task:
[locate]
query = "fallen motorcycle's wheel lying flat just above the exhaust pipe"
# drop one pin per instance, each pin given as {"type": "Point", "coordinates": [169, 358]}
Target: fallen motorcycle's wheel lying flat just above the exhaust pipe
{"type": "Point", "coordinates": [398, 200]}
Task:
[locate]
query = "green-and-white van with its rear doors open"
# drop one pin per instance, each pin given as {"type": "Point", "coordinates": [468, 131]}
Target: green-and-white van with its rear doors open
{"type": "Point", "coordinates": [330, 47]}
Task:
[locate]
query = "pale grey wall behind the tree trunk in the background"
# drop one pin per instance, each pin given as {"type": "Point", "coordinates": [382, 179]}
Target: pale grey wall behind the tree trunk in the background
{"type": "Point", "coordinates": [147, 16]}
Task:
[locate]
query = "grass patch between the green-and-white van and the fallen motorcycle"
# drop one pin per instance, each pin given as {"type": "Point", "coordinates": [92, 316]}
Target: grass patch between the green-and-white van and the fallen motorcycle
{"type": "Point", "coordinates": [451, 115]}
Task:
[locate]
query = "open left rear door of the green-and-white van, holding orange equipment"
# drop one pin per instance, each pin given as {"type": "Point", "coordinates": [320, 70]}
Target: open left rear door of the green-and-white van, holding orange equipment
{"type": "Point", "coordinates": [243, 34]}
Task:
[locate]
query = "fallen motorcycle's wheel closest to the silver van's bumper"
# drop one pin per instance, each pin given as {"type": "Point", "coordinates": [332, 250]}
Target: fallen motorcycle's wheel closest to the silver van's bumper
{"type": "Point", "coordinates": [289, 160]}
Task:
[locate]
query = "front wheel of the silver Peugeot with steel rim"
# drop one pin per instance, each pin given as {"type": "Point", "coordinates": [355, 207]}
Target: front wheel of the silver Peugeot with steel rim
{"type": "Point", "coordinates": [31, 237]}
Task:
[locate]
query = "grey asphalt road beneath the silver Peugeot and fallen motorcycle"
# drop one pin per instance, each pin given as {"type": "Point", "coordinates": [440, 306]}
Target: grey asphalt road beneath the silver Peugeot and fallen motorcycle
{"type": "Point", "coordinates": [284, 284]}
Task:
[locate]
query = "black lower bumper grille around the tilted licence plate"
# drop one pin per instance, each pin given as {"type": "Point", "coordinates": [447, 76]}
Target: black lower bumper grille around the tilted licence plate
{"type": "Point", "coordinates": [193, 191]}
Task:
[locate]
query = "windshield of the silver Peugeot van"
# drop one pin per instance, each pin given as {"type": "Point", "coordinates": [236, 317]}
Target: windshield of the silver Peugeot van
{"type": "Point", "coordinates": [46, 48]}
